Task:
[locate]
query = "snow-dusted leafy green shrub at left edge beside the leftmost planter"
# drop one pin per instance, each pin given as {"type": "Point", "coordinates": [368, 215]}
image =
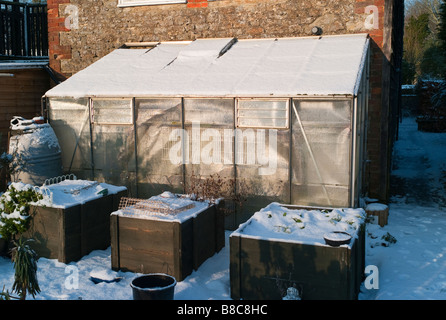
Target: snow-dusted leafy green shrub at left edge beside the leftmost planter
{"type": "Point", "coordinates": [15, 206]}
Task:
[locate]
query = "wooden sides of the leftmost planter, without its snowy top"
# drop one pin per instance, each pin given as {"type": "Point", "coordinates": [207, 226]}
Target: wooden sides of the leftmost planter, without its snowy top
{"type": "Point", "coordinates": [68, 234]}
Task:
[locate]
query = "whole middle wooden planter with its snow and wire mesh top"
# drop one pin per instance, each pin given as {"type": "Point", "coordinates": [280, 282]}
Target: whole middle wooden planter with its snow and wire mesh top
{"type": "Point", "coordinates": [167, 233]}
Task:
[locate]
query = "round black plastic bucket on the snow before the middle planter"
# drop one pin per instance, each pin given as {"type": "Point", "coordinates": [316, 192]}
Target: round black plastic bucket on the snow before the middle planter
{"type": "Point", "coordinates": [154, 286]}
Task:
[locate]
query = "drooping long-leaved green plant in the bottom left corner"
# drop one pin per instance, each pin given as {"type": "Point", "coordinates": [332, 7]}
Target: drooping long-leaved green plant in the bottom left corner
{"type": "Point", "coordinates": [25, 267]}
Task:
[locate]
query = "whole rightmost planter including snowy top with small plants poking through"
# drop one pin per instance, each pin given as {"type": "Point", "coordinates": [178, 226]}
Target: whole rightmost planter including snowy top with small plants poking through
{"type": "Point", "coordinates": [283, 246]}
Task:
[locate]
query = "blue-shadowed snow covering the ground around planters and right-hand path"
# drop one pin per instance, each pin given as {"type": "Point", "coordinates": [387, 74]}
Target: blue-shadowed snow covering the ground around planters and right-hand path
{"type": "Point", "coordinates": [412, 268]}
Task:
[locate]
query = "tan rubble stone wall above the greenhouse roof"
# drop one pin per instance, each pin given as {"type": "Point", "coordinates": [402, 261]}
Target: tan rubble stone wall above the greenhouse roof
{"type": "Point", "coordinates": [103, 26]}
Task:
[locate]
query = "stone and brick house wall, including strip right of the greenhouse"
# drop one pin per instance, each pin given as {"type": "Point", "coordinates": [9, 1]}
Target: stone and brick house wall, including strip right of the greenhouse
{"type": "Point", "coordinates": [95, 30]}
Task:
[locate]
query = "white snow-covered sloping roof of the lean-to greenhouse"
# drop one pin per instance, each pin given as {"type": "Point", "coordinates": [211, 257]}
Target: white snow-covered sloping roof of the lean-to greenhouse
{"type": "Point", "coordinates": [311, 66]}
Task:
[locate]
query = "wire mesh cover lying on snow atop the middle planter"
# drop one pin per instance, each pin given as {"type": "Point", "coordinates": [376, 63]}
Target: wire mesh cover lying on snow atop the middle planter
{"type": "Point", "coordinates": [154, 206]}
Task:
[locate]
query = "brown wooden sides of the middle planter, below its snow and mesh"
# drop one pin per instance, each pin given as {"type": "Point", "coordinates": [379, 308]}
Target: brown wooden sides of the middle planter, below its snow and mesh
{"type": "Point", "coordinates": [177, 248]}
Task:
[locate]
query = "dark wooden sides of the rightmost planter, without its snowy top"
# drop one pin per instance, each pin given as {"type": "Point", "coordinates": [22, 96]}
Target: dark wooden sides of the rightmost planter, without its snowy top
{"type": "Point", "coordinates": [262, 269]}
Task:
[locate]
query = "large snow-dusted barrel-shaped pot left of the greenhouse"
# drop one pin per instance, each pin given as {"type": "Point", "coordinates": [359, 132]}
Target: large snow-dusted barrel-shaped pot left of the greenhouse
{"type": "Point", "coordinates": [36, 151]}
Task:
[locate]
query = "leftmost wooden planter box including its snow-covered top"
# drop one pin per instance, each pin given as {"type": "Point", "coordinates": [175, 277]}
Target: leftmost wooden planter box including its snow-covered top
{"type": "Point", "coordinates": [73, 218]}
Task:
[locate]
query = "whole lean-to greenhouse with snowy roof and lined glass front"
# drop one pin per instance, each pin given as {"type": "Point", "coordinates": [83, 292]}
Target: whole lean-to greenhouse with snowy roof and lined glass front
{"type": "Point", "coordinates": [284, 118]}
